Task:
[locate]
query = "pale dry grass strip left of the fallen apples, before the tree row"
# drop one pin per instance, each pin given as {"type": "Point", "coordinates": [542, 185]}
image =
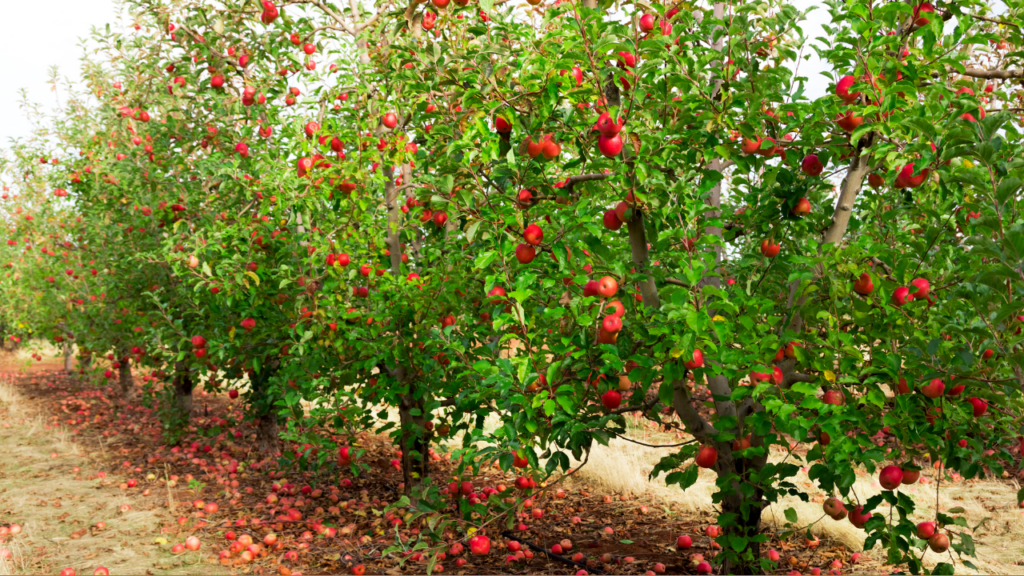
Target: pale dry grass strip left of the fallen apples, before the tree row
{"type": "Point", "coordinates": [41, 493]}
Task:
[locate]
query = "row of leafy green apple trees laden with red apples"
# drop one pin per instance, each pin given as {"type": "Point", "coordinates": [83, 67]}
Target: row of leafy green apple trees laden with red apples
{"type": "Point", "coordinates": [515, 224]}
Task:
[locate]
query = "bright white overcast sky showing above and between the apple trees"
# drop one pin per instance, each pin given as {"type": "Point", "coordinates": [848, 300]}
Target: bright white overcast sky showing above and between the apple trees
{"type": "Point", "coordinates": [41, 34]}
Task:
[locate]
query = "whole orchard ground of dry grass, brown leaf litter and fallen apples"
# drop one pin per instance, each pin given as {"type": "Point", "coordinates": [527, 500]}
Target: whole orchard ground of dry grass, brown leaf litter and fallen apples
{"type": "Point", "coordinates": [44, 438]}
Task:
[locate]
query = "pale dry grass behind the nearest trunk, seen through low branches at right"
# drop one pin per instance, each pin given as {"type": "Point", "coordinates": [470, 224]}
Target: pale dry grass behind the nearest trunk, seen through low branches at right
{"type": "Point", "coordinates": [625, 468]}
